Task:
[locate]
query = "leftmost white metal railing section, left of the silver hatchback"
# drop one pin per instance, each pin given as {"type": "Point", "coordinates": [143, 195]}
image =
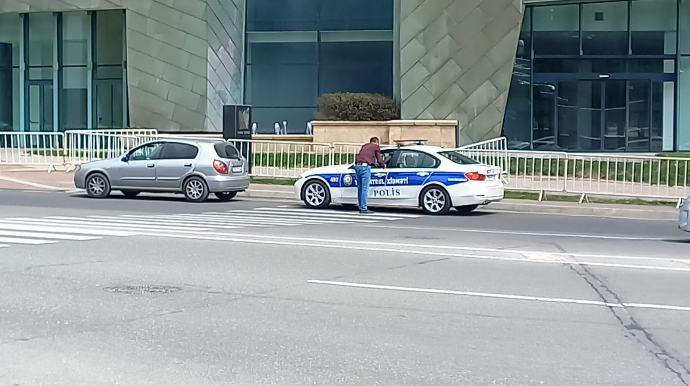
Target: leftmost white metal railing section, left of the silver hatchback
{"type": "Point", "coordinates": [31, 148]}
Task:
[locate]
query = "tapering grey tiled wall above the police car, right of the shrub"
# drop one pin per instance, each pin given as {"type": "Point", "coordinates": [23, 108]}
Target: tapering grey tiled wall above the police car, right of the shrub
{"type": "Point", "coordinates": [456, 62]}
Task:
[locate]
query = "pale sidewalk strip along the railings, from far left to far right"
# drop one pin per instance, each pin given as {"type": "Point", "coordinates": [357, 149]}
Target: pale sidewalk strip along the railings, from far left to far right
{"type": "Point", "coordinates": [28, 178]}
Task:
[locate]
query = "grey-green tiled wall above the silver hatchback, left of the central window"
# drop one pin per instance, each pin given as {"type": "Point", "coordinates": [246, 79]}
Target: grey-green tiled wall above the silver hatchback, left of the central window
{"type": "Point", "coordinates": [184, 57]}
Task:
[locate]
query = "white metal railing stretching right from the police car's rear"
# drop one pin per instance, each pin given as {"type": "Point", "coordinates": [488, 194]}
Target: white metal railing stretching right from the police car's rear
{"type": "Point", "coordinates": [606, 175]}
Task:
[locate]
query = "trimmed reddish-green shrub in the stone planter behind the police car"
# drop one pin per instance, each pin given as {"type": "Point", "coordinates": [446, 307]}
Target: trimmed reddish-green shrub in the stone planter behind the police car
{"type": "Point", "coordinates": [357, 107]}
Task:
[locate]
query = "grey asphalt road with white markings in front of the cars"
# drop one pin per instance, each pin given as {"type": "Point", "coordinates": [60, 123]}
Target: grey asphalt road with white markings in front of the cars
{"type": "Point", "coordinates": [268, 293]}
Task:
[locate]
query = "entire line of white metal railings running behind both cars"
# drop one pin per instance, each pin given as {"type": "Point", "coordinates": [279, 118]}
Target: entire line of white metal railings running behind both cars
{"type": "Point", "coordinates": [595, 174]}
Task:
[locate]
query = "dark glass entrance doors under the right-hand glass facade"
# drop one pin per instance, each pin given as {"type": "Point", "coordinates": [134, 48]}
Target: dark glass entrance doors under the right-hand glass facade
{"type": "Point", "coordinates": [600, 112]}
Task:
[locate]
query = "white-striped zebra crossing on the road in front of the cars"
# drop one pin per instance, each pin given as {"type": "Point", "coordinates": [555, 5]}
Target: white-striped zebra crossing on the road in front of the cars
{"type": "Point", "coordinates": [53, 229]}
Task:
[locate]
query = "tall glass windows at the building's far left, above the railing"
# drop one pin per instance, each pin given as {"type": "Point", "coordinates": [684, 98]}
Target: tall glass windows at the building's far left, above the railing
{"type": "Point", "coordinates": [62, 71]}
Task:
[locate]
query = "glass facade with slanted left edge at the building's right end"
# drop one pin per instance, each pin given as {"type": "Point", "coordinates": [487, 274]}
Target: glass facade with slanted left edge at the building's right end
{"type": "Point", "coordinates": [608, 76]}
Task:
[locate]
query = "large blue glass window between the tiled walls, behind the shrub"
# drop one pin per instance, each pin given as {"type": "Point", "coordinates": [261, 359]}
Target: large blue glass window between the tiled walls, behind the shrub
{"type": "Point", "coordinates": [306, 48]}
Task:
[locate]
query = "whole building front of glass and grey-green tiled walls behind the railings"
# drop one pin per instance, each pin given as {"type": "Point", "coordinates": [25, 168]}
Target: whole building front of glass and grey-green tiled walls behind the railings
{"type": "Point", "coordinates": [570, 75]}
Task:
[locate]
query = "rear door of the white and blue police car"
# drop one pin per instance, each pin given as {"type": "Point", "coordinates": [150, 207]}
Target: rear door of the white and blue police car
{"type": "Point", "coordinates": [412, 170]}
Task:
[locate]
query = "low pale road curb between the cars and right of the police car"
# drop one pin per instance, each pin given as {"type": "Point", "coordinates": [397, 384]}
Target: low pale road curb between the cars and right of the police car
{"type": "Point", "coordinates": [613, 211]}
